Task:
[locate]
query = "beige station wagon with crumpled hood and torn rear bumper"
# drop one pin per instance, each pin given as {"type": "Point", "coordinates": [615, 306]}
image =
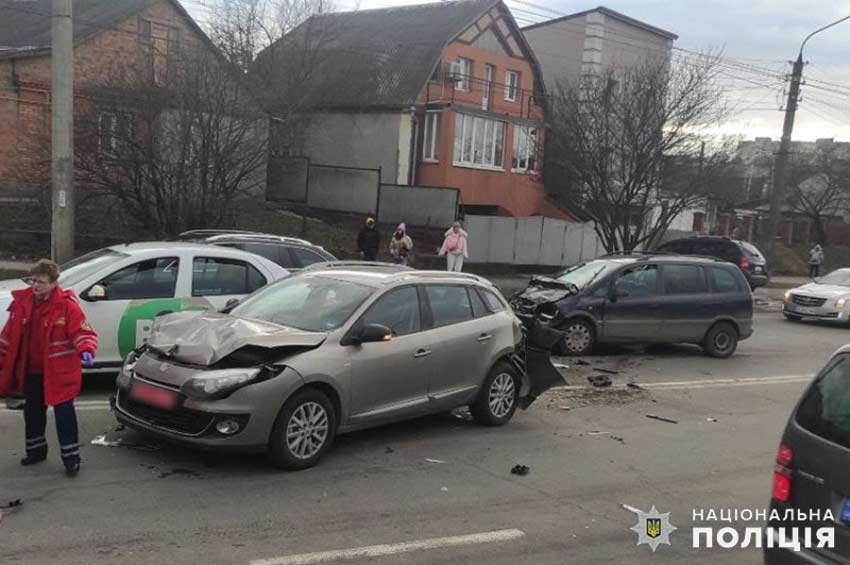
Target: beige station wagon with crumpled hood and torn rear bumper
{"type": "Point", "coordinates": [337, 348]}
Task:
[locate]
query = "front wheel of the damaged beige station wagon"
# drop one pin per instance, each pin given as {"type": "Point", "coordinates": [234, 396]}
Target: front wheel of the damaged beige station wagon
{"type": "Point", "coordinates": [284, 449]}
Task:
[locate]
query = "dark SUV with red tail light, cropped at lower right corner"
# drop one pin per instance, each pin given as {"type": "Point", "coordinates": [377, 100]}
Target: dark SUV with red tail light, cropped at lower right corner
{"type": "Point", "coordinates": [811, 475]}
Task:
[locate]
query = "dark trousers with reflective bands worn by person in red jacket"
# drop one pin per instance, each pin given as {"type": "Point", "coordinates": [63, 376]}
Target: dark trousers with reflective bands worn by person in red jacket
{"type": "Point", "coordinates": [35, 420]}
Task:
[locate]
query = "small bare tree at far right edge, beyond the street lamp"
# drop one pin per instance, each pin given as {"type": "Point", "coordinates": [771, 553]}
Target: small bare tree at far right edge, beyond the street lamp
{"type": "Point", "coordinates": [821, 190]}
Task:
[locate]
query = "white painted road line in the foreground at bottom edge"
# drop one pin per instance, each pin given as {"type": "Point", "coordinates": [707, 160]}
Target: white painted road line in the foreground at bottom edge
{"type": "Point", "coordinates": [373, 551]}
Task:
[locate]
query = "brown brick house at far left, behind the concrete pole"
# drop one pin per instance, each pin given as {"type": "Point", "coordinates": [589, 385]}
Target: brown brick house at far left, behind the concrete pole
{"type": "Point", "coordinates": [106, 33]}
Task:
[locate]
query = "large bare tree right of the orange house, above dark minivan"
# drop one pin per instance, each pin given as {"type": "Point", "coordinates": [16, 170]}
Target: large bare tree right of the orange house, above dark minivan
{"type": "Point", "coordinates": [629, 149]}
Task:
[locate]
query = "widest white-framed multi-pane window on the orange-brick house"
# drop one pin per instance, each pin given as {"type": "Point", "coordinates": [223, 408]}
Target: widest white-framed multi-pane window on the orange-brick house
{"type": "Point", "coordinates": [470, 128]}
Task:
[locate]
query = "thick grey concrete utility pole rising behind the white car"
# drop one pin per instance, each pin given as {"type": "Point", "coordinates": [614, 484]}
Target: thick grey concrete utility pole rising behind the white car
{"type": "Point", "coordinates": [62, 138]}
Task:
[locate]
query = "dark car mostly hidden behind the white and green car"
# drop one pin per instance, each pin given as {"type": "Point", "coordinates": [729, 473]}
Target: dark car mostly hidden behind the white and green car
{"type": "Point", "coordinates": [290, 253]}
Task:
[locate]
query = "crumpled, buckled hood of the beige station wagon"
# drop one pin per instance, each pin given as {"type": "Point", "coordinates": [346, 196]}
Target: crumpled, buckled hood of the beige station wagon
{"type": "Point", "coordinates": [211, 338]}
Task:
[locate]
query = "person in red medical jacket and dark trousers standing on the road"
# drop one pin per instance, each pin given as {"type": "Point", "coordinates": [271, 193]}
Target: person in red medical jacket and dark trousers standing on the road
{"type": "Point", "coordinates": [41, 346]}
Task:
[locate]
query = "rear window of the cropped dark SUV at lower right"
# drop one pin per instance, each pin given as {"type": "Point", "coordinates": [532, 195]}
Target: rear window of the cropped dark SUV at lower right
{"type": "Point", "coordinates": [825, 411]}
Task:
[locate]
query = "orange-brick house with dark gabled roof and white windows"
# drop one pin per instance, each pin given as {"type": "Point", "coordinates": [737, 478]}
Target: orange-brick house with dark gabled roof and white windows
{"type": "Point", "coordinates": [438, 95]}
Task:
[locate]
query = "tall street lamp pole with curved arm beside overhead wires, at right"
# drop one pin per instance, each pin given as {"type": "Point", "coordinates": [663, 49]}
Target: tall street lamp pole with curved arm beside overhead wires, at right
{"type": "Point", "coordinates": [780, 173]}
